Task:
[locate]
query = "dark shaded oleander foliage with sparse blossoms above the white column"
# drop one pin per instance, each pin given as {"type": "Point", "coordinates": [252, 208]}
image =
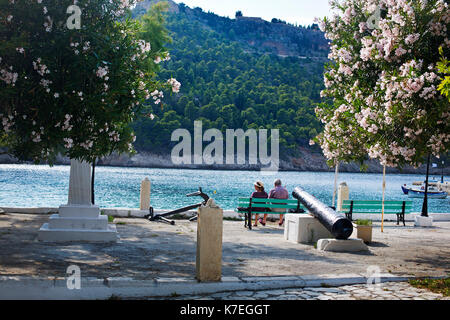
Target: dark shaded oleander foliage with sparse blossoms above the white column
{"type": "Point", "coordinates": [73, 91]}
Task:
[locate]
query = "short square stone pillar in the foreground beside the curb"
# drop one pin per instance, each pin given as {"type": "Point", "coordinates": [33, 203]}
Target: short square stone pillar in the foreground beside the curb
{"type": "Point", "coordinates": [209, 243]}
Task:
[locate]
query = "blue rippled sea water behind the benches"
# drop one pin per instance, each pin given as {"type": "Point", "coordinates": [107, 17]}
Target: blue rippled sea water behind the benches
{"type": "Point", "coordinates": [42, 186]}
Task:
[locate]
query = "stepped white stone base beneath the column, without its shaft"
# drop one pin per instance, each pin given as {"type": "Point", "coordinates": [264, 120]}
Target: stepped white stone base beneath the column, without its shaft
{"type": "Point", "coordinates": [78, 223]}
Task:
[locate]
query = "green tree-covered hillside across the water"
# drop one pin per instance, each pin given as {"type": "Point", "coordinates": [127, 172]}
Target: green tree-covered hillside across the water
{"type": "Point", "coordinates": [228, 86]}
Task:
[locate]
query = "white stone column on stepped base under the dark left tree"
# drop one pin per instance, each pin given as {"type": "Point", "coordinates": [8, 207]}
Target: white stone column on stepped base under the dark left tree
{"type": "Point", "coordinates": [79, 220]}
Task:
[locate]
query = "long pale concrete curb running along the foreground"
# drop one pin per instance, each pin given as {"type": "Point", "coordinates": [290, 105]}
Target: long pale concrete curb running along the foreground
{"type": "Point", "coordinates": [27, 288]}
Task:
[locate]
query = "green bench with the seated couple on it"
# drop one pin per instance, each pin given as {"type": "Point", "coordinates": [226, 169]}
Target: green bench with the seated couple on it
{"type": "Point", "coordinates": [246, 206]}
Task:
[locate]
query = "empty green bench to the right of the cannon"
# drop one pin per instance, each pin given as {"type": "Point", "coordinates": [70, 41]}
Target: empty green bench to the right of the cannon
{"type": "Point", "coordinates": [400, 208]}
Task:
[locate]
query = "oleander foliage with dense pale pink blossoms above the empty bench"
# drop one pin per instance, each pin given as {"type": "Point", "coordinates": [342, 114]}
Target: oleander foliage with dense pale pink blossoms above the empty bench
{"type": "Point", "coordinates": [383, 81]}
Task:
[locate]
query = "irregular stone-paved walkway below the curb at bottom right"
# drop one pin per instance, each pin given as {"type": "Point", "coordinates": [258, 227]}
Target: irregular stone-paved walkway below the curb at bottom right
{"type": "Point", "coordinates": [385, 291]}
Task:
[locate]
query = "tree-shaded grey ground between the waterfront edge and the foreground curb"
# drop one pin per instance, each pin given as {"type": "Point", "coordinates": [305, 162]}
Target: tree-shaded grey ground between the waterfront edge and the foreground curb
{"type": "Point", "coordinates": [149, 249]}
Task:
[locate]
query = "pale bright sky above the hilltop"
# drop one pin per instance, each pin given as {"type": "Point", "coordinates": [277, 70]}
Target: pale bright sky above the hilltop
{"type": "Point", "coordinates": [301, 12]}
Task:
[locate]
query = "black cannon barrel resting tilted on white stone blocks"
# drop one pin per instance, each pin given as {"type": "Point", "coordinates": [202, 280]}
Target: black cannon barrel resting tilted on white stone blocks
{"type": "Point", "coordinates": [339, 226]}
